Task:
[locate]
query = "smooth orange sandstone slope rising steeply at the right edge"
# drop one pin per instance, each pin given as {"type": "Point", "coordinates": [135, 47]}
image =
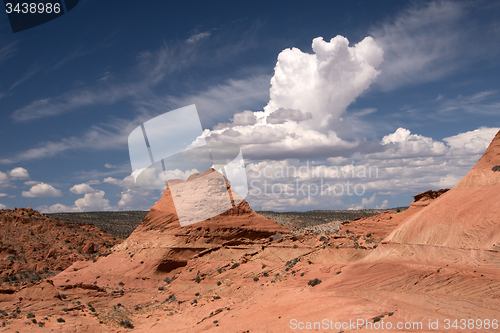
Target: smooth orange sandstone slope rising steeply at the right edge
{"type": "Point", "coordinates": [466, 217]}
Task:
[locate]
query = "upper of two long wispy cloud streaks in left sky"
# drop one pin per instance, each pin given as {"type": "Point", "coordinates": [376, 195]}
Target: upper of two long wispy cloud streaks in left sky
{"type": "Point", "coordinates": [151, 69]}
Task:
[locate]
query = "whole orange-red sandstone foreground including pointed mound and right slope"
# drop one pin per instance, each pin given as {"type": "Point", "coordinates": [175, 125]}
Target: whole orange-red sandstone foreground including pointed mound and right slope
{"type": "Point", "coordinates": [240, 272]}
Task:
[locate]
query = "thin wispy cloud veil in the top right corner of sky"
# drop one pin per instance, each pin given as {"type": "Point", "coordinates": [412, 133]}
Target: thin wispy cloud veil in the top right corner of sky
{"type": "Point", "coordinates": [429, 41]}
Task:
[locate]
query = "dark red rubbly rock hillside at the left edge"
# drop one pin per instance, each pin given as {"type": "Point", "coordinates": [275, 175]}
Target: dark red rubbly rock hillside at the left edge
{"type": "Point", "coordinates": [33, 245]}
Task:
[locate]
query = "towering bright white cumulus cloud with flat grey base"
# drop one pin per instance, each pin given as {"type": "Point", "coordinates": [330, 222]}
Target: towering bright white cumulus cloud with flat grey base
{"type": "Point", "coordinates": [309, 94]}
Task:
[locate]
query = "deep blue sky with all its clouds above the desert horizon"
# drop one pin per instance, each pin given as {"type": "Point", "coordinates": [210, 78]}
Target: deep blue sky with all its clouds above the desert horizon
{"type": "Point", "coordinates": [334, 104]}
